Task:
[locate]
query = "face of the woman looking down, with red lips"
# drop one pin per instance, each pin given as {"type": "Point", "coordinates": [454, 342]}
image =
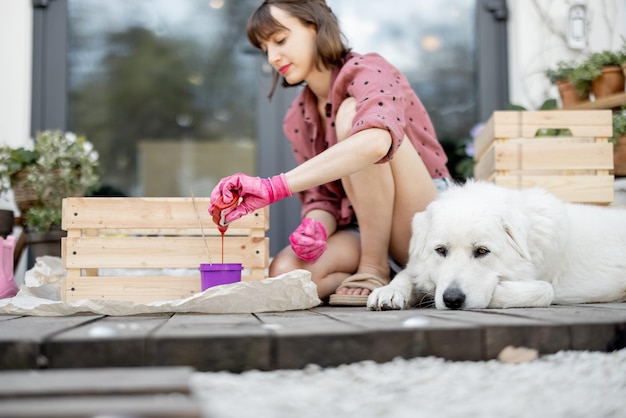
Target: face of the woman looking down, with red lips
{"type": "Point", "coordinates": [291, 50]}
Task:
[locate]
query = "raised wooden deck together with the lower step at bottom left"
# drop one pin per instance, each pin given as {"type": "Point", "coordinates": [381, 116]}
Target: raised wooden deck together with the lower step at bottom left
{"type": "Point", "coordinates": [89, 365]}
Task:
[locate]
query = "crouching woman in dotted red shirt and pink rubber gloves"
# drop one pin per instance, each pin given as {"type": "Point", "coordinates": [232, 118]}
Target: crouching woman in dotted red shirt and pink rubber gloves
{"type": "Point", "coordinates": [368, 157]}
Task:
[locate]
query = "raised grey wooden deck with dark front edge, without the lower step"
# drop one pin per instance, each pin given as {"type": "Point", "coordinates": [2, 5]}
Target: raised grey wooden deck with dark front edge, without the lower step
{"type": "Point", "coordinates": [327, 336]}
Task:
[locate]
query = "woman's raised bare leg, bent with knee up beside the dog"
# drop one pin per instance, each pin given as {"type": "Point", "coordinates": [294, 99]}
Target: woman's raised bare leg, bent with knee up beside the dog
{"type": "Point", "coordinates": [384, 197]}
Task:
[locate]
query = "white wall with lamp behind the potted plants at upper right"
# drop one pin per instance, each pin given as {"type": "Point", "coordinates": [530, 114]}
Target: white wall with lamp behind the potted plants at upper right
{"type": "Point", "coordinates": [537, 33]}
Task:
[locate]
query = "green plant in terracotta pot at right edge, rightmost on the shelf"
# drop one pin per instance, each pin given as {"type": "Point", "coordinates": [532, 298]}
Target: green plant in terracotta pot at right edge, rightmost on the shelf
{"type": "Point", "coordinates": [600, 73]}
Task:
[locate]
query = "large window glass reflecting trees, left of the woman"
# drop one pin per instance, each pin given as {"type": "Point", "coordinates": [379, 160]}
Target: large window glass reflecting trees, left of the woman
{"type": "Point", "coordinates": [163, 90]}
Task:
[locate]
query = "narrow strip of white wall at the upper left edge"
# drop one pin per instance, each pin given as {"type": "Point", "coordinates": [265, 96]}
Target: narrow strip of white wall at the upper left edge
{"type": "Point", "coordinates": [15, 70]}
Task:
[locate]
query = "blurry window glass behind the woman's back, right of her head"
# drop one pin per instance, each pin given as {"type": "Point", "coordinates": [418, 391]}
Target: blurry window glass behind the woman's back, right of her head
{"type": "Point", "coordinates": [432, 43]}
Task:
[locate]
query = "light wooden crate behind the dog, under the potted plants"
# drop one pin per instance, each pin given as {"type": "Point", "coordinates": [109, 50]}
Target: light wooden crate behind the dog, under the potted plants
{"type": "Point", "coordinates": [575, 168]}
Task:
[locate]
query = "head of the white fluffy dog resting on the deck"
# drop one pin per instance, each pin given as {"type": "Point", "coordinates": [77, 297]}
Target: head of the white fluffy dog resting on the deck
{"type": "Point", "coordinates": [466, 242]}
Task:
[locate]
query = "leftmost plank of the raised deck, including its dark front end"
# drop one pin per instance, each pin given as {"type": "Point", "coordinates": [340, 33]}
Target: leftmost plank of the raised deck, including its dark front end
{"type": "Point", "coordinates": [21, 338]}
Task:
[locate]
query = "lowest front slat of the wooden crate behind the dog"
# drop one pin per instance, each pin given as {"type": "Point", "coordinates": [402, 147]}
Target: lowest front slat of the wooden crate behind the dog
{"type": "Point", "coordinates": [585, 189]}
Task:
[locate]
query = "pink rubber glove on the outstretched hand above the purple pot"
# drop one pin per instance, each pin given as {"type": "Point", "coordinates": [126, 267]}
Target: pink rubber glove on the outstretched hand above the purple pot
{"type": "Point", "coordinates": [256, 193]}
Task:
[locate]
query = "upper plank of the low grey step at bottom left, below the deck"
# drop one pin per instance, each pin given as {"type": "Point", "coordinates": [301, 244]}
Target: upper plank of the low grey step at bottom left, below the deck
{"type": "Point", "coordinates": [83, 382]}
